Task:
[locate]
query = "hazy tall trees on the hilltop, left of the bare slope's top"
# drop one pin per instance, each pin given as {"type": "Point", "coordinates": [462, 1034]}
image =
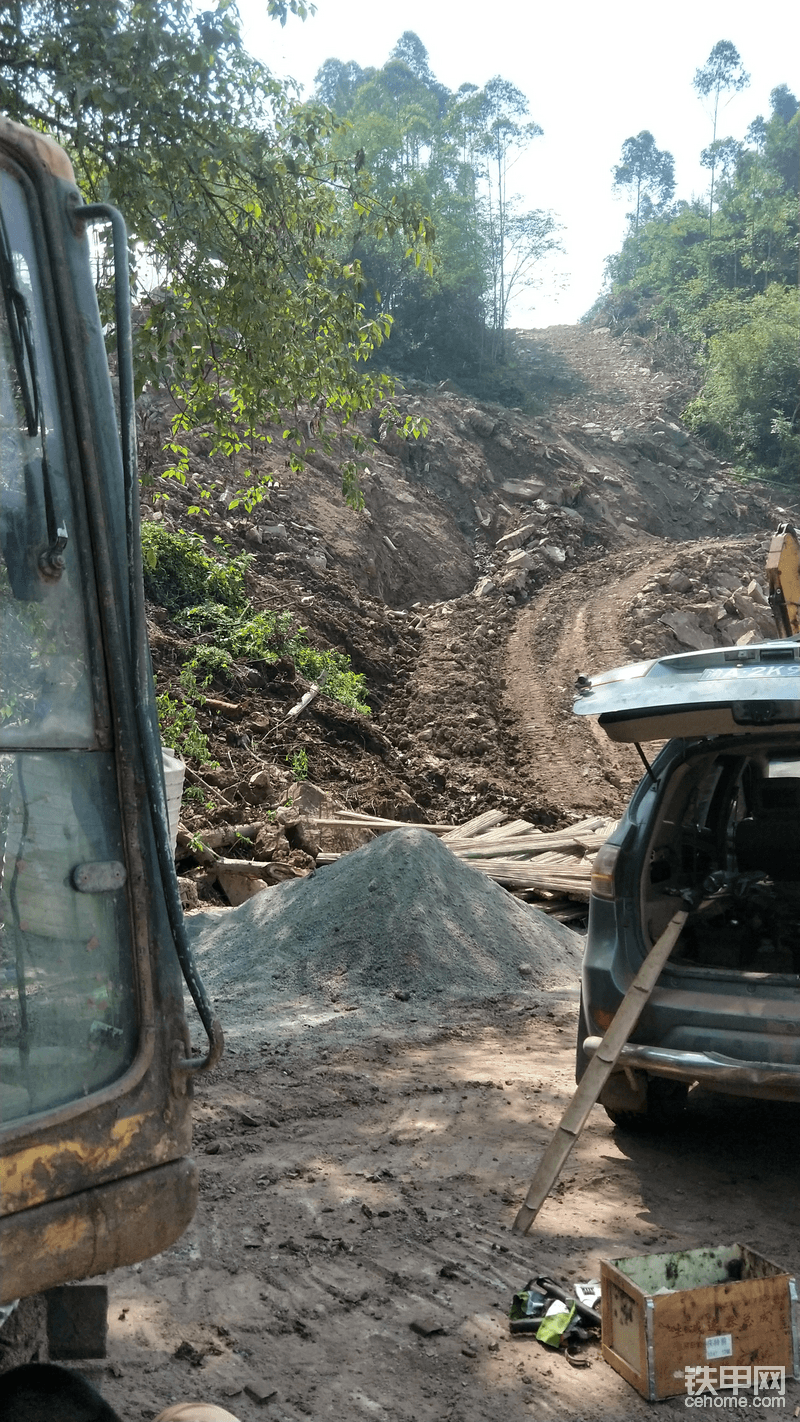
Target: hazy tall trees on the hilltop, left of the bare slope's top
{"type": "Point", "coordinates": [450, 154]}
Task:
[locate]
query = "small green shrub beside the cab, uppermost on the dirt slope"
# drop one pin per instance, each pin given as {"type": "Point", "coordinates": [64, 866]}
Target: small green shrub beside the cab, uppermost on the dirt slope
{"type": "Point", "coordinates": [180, 572]}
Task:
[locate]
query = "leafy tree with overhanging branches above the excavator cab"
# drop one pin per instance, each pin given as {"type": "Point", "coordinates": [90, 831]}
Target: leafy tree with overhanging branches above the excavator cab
{"type": "Point", "coordinates": [232, 198]}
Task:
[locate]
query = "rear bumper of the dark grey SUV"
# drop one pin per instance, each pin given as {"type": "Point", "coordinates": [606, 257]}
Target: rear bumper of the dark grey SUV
{"type": "Point", "coordinates": [771, 1081]}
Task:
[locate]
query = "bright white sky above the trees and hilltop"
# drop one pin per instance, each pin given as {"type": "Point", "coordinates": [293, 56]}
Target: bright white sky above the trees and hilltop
{"type": "Point", "coordinates": [595, 75]}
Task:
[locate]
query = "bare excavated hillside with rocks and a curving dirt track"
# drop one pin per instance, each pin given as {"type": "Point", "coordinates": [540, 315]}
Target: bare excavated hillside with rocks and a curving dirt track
{"type": "Point", "coordinates": [494, 561]}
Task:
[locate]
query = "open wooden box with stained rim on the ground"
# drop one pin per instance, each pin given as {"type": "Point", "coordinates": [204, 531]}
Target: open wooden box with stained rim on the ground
{"type": "Point", "coordinates": [704, 1308]}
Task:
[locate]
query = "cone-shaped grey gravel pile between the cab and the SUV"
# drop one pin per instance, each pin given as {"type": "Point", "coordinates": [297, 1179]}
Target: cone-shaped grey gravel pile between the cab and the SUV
{"type": "Point", "coordinates": [397, 926]}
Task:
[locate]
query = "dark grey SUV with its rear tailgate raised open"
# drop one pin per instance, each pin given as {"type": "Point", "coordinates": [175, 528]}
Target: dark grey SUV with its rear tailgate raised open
{"type": "Point", "coordinates": [718, 813]}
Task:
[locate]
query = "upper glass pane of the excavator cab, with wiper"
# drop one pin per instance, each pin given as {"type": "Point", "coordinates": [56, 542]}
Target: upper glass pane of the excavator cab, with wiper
{"type": "Point", "coordinates": [46, 685]}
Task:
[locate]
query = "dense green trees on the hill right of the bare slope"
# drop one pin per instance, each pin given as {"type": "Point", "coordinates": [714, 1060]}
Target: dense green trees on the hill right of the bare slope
{"type": "Point", "coordinates": [715, 287]}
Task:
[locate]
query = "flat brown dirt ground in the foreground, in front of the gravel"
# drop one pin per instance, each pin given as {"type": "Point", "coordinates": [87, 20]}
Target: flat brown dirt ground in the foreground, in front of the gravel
{"type": "Point", "coordinates": [352, 1249]}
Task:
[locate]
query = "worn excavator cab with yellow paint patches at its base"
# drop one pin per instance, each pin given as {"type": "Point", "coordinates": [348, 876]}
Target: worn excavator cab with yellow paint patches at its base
{"type": "Point", "coordinates": [96, 1063]}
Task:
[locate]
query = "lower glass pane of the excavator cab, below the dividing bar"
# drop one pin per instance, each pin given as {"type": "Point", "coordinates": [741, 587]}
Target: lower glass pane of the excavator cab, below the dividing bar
{"type": "Point", "coordinates": [67, 1009]}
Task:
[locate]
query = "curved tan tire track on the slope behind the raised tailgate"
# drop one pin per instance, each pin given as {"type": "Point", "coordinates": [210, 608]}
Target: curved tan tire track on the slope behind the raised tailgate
{"type": "Point", "coordinates": [575, 628]}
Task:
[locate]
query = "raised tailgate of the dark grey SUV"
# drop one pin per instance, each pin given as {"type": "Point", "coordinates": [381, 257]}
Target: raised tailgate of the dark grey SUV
{"type": "Point", "coordinates": [721, 692]}
